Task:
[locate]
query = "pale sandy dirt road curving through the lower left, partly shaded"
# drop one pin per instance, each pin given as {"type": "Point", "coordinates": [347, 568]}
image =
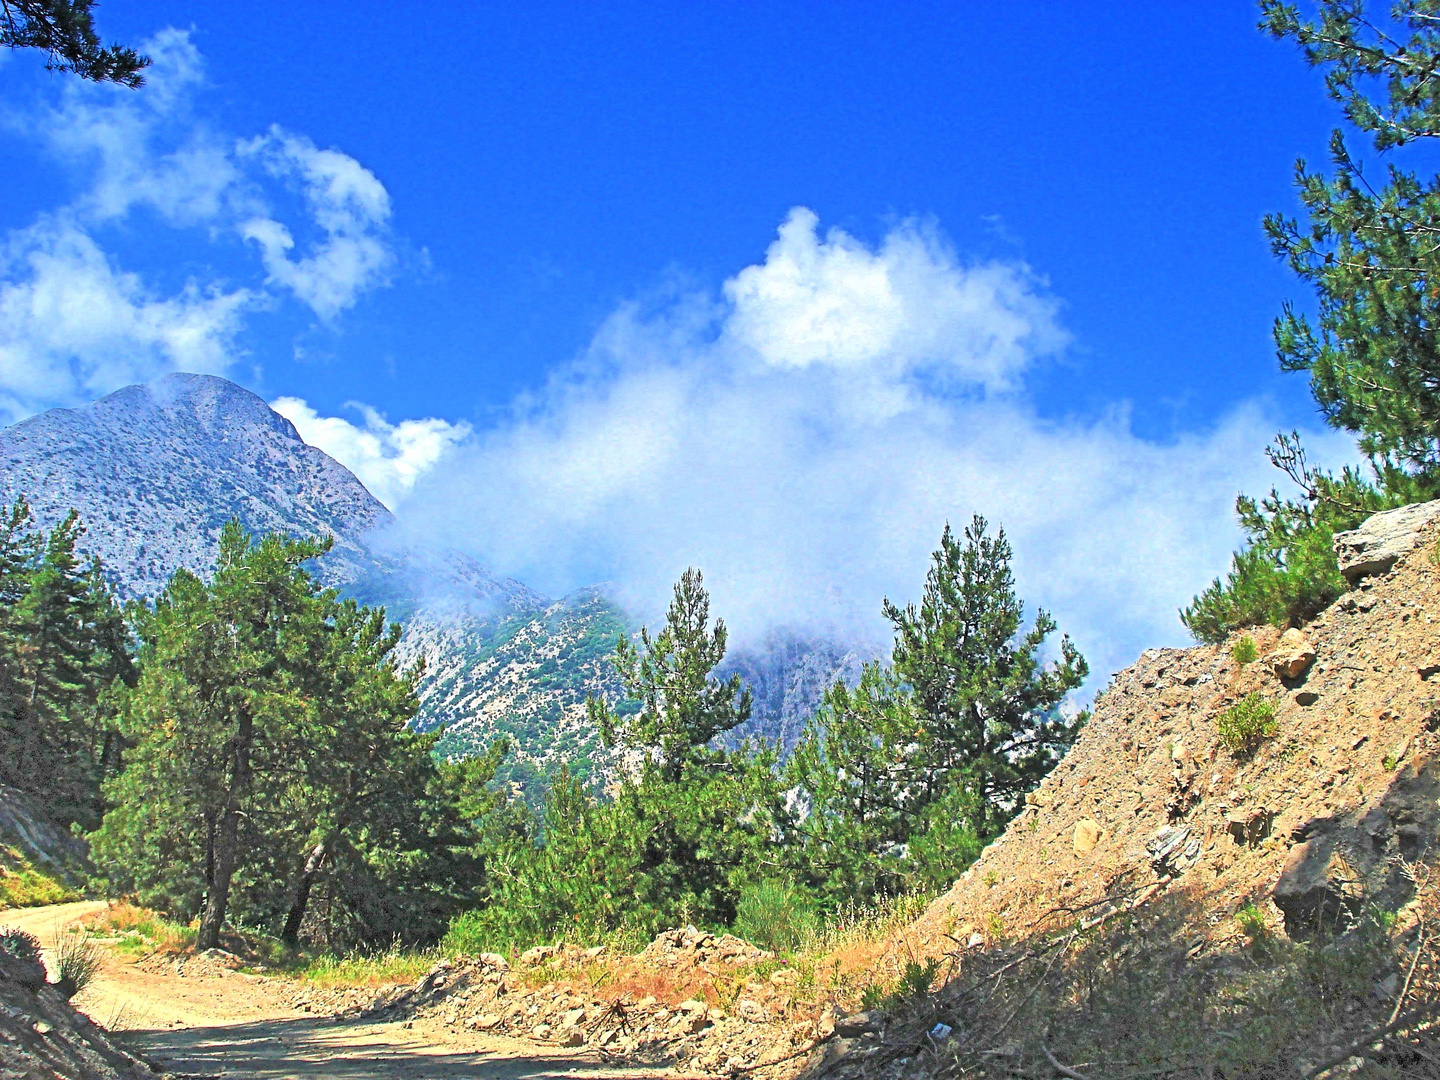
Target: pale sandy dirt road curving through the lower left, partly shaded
{"type": "Point", "coordinates": [241, 1026]}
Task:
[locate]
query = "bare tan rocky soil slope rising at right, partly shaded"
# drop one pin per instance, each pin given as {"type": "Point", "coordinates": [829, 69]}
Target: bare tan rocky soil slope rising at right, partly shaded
{"type": "Point", "coordinates": [1200, 862]}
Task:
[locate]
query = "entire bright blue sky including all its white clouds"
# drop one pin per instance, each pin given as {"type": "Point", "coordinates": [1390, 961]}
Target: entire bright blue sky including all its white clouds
{"type": "Point", "coordinates": [601, 290]}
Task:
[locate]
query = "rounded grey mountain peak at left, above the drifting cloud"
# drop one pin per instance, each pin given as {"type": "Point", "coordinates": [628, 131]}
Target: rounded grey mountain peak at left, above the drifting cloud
{"type": "Point", "coordinates": [158, 470]}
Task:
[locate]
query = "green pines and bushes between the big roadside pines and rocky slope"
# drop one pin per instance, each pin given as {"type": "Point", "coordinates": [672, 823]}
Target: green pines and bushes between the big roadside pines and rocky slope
{"type": "Point", "coordinates": [896, 786]}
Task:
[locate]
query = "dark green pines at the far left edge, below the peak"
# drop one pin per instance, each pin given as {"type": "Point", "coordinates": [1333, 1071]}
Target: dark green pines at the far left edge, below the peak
{"type": "Point", "coordinates": [63, 653]}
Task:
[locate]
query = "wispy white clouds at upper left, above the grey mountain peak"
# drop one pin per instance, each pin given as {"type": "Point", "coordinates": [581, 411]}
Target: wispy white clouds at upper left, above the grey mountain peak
{"type": "Point", "coordinates": [76, 323]}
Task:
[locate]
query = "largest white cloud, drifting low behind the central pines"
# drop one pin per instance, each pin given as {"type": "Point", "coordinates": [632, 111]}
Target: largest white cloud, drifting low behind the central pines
{"type": "Point", "coordinates": [806, 441]}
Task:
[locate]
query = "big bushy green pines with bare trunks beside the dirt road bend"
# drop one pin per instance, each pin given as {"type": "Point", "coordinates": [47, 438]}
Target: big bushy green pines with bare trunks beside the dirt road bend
{"type": "Point", "coordinates": [270, 775]}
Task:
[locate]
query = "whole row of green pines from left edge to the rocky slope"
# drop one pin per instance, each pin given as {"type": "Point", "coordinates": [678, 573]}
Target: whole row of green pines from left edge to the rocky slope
{"type": "Point", "coordinates": [243, 751]}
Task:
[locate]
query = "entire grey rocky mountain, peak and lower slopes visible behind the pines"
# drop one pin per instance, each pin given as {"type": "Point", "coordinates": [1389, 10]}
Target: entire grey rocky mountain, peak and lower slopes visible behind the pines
{"type": "Point", "coordinates": [158, 470]}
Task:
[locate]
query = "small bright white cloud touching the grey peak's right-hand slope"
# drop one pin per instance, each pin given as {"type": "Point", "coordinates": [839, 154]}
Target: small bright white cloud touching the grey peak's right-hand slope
{"type": "Point", "coordinates": [388, 459]}
